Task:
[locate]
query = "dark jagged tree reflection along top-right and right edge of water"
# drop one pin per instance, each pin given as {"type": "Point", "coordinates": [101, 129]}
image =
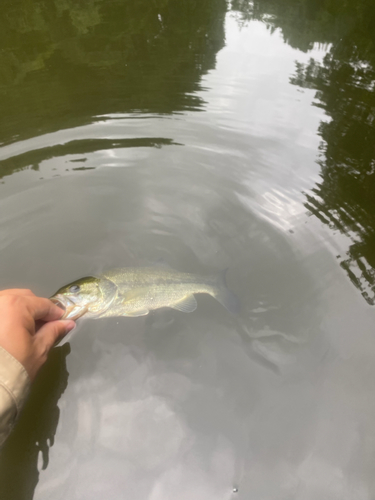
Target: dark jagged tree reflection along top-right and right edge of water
{"type": "Point", "coordinates": [344, 199]}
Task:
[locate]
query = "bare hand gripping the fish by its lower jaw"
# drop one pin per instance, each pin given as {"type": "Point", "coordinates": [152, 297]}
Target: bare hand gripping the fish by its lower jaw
{"type": "Point", "coordinates": [29, 327]}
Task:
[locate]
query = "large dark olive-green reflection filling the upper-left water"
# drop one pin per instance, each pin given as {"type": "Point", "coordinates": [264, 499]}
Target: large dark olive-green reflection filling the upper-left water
{"type": "Point", "coordinates": [63, 62]}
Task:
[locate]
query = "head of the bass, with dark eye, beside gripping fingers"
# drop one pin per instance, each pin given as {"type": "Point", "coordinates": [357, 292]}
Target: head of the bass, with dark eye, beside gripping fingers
{"type": "Point", "coordinates": [89, 296]}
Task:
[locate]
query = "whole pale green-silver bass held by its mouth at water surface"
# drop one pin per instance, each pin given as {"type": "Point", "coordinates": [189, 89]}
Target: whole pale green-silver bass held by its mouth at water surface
{"type": "Point", "coordinates": [133, 292]}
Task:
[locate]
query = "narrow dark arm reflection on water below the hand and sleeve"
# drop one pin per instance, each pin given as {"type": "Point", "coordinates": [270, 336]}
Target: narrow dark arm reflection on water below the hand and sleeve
{"type": "Point", "coordinates": [35, 431]}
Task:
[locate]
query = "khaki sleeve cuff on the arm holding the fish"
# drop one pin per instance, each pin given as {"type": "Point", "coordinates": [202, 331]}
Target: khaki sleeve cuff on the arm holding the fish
{"type": "Point", "coordinates": [14, 389]}
